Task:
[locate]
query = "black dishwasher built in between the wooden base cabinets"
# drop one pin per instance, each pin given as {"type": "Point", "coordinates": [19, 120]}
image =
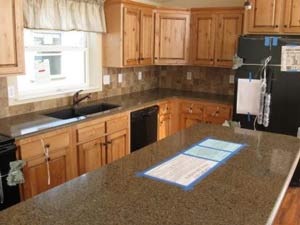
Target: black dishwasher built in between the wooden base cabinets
{"type": "Point", "coordinates": [143, 127]}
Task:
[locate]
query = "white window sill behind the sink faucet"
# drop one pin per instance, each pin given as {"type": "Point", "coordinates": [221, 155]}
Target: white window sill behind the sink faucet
{"type": "Point", "coordinates": [43, 97]}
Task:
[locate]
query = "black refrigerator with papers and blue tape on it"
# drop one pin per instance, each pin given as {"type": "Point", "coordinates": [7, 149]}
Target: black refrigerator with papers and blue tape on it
{"type": "Point", "coordinates": [284, 86]}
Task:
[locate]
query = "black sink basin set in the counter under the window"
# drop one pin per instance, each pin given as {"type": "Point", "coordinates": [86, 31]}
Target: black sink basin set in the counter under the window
{"type": "Point", "coordinates": [70, 113]}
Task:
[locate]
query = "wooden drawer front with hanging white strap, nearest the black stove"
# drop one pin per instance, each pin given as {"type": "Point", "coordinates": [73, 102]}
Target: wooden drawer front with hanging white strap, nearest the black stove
{"type": "Point", "coordinates": [35, 148]}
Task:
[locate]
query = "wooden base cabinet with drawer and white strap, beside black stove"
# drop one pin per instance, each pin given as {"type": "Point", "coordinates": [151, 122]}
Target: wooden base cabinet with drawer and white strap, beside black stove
{"type": "Point", "coordinates": [50, 161]}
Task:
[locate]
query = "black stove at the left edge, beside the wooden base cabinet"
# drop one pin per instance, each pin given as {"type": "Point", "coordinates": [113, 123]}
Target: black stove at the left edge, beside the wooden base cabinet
{"type": "Point", "coordinates": [9, 195]}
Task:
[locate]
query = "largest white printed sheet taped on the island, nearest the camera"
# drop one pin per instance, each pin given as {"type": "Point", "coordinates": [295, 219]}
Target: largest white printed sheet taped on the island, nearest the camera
{"type": "Point", "coordinates": [182, 169]}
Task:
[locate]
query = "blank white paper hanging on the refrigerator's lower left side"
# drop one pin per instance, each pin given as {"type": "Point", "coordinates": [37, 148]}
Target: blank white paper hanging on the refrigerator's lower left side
{"type": "Point", "coordinates": [248, 96]}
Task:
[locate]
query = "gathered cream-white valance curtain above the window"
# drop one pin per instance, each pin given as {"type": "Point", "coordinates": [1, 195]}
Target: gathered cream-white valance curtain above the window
{"type": "Point", "coordinates": [65, 15]}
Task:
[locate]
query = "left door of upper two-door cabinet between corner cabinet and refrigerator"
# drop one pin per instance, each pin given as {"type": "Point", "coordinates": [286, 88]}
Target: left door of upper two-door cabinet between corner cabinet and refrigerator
{"type": "Point", "coordinates": [203, 38]}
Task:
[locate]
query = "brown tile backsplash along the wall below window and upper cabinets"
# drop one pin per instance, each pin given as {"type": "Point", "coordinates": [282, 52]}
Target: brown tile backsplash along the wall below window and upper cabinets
{"type": "Point", "coordinates": [212, 80]}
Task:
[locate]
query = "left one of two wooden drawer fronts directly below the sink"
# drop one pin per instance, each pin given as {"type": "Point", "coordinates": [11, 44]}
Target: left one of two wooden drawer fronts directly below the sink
{"type": "Point", "coordinates": [91, 132]}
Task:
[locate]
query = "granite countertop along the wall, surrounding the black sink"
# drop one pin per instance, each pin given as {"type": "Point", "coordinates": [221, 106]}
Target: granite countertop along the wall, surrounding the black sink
{"type": "Point", "coordinates": [33, 123]}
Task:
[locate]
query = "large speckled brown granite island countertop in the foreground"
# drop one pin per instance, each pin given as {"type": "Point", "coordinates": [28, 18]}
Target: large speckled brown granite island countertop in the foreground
{"type": "Point", "coordinates": [247, 190]}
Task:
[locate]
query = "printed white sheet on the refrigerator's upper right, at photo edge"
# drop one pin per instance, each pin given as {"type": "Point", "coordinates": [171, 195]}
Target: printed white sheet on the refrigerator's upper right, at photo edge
{"type": "Point", "coordinates": [290, 58]}
